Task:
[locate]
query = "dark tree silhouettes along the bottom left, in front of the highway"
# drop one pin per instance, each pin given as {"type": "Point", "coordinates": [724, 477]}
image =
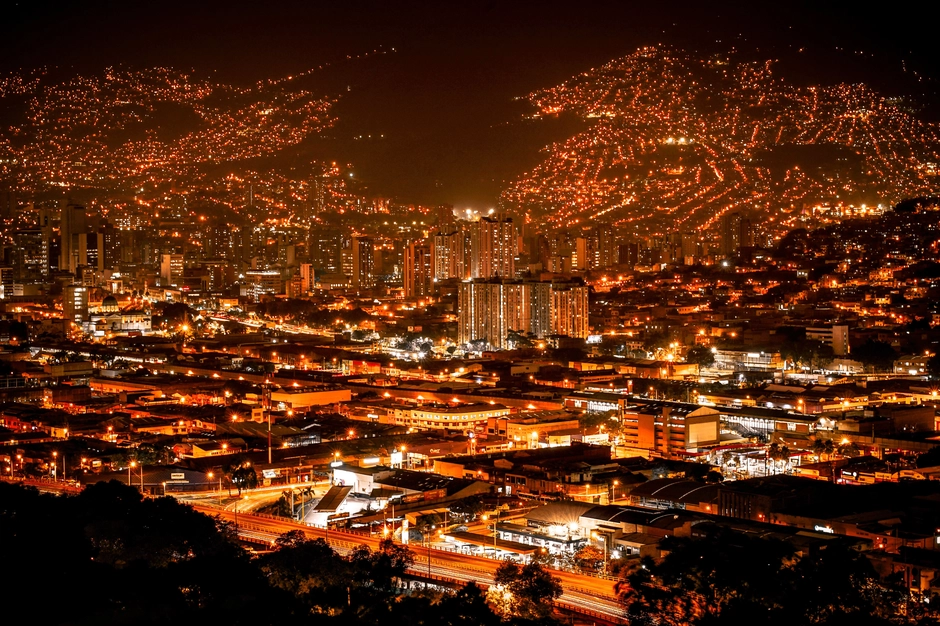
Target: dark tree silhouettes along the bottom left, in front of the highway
{"type": "Point", "coordinates": [108, 556]}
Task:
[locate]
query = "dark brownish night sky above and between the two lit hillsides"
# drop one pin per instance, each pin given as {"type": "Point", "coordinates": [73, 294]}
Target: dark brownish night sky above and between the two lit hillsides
{"type": "Point", "coordinates": [444, 99]}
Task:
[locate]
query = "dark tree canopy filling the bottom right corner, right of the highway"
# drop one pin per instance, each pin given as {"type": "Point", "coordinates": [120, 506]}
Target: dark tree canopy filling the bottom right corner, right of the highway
{"type": "Point", "coordinates": [733, 578]}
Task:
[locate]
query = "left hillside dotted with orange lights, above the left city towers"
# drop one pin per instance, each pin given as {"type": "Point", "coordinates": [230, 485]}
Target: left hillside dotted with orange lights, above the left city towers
{"type": "Point", "coordinates": [128, 140]}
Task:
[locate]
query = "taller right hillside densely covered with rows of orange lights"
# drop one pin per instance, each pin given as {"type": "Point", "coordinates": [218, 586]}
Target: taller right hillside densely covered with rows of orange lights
{"type": "Point", "coordinates": [676, 141]}
